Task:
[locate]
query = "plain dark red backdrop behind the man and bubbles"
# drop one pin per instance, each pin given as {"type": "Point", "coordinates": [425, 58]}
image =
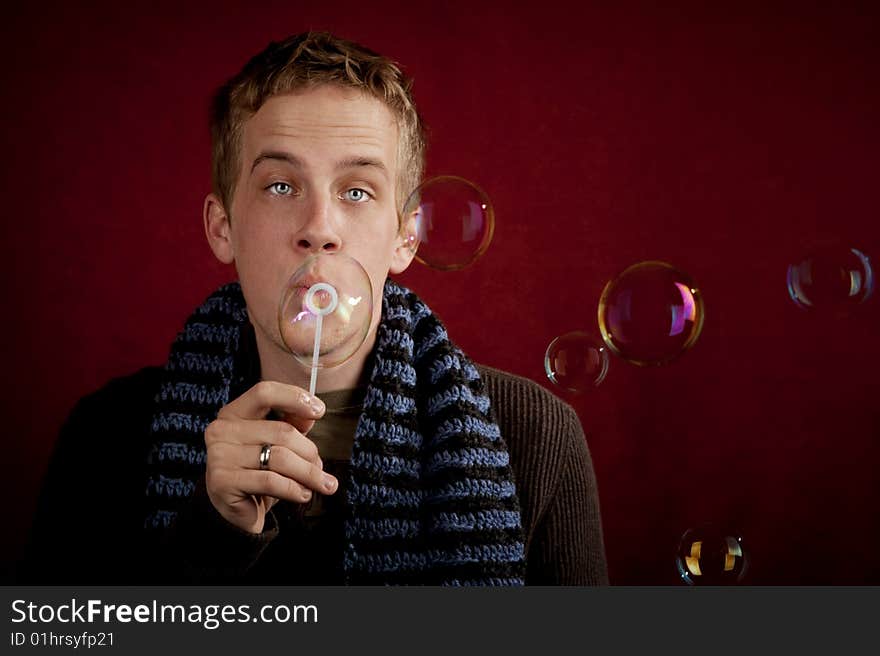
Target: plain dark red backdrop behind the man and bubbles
{"type": "Point", "coordinates": [728, 140]}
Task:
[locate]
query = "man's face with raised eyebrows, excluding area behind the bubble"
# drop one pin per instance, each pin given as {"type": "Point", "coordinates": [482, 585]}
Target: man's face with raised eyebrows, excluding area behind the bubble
{"type": "Point", "coordinates": [318, 173]}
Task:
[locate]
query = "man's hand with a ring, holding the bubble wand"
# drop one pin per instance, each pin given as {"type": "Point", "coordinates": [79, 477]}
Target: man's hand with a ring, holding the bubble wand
{"type": "Point", "coordinates": [241, 491]}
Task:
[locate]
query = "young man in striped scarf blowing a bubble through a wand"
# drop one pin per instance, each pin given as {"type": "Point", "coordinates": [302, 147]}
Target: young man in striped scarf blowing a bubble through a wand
{"type": "Point", "coordinates": [411, 465]}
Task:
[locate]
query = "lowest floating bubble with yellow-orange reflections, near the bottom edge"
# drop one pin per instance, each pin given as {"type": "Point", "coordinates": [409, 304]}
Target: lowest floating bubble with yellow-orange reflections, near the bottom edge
{"type": "Point", "coordinates": [711, 555]}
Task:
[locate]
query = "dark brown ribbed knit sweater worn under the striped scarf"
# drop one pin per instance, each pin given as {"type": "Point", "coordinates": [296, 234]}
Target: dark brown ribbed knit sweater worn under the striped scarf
{"type": "Point", "coordinates": [88, 528]}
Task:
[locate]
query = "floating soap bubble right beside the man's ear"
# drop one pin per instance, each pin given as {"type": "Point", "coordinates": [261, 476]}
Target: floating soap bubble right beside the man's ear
{"type": "Point", "coordinates": [455, 222]}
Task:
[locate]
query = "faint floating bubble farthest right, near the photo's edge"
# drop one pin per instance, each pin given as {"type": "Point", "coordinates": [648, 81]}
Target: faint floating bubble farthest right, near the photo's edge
{"type": "Point", "coordinates": [830, 277]}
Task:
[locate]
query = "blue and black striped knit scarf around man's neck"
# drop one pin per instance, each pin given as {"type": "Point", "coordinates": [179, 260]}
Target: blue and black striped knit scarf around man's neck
{"type": "Point", "coordinates": [430, 500]}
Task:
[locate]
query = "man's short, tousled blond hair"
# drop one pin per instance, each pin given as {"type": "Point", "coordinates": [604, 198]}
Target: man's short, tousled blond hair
{"type": "Point", "coordinates": [300, 62]}
